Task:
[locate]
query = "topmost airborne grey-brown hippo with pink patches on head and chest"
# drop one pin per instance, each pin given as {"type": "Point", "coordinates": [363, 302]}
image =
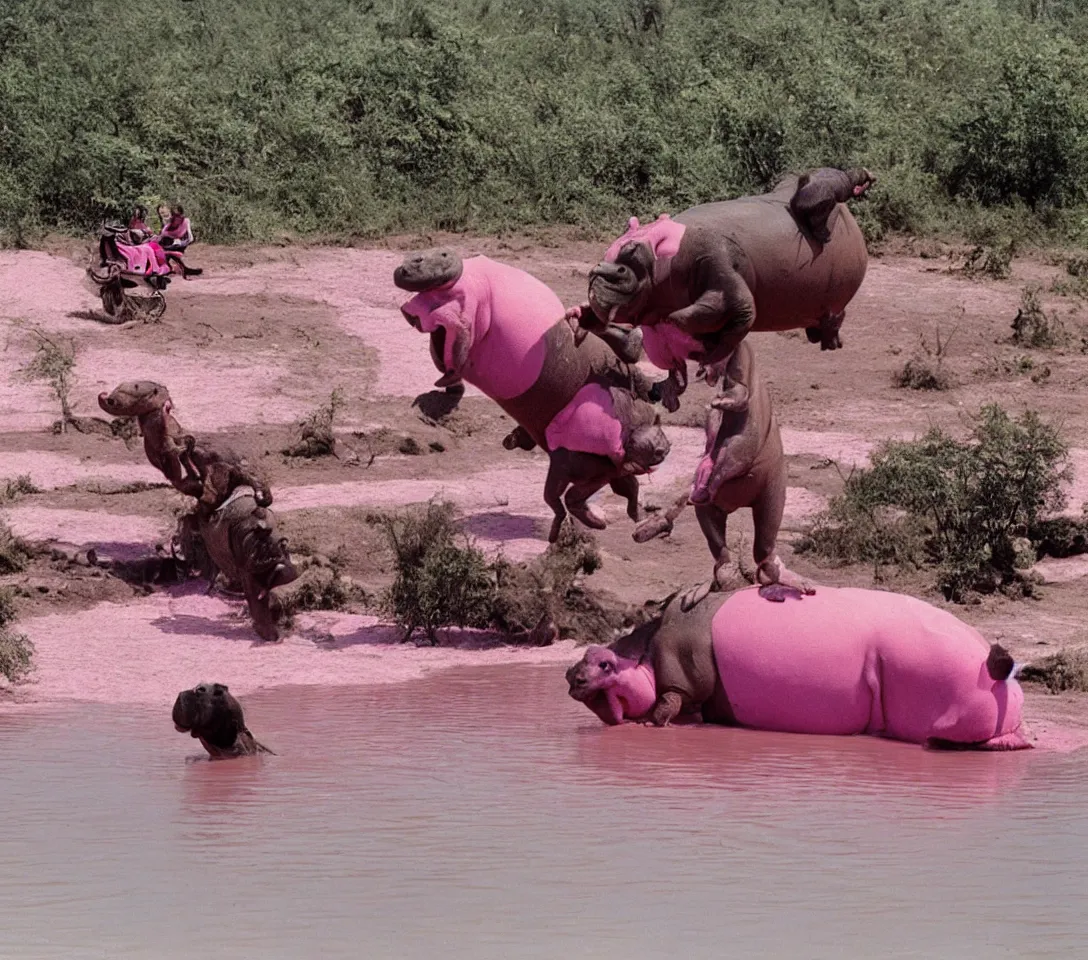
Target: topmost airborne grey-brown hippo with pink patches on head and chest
{"type": "Point", "coordinates": [699, 284]}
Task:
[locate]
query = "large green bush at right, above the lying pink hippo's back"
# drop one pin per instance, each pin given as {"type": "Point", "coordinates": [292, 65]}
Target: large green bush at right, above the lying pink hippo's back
{"type": "Point", "coordinates": [963, 508]}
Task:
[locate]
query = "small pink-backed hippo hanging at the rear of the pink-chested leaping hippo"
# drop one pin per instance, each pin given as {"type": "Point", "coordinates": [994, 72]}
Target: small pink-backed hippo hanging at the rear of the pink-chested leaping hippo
{"type": "Point", "coordinates": [604, 436]}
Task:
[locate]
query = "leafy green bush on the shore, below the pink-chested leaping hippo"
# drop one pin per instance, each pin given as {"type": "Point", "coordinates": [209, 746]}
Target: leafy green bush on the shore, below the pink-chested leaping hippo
{"type": "Point", "coordinates": [442, 580]}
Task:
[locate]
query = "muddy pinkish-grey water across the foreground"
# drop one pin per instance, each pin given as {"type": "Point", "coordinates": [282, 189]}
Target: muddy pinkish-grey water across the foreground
{"type": "Point", "coordinates": [483, 815]}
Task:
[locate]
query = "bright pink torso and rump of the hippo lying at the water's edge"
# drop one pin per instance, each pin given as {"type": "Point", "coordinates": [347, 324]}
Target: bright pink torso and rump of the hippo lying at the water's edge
{"type": "Point", "coordinates": [849, 661]}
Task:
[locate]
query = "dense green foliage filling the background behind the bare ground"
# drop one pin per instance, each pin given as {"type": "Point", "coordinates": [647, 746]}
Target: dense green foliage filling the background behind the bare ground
{"type": "Point", "coordinates": [356, 117]}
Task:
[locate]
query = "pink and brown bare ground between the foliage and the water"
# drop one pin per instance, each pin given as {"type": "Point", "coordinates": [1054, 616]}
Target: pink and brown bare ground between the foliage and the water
{"type": "Point", "coordinates": [264, 337]}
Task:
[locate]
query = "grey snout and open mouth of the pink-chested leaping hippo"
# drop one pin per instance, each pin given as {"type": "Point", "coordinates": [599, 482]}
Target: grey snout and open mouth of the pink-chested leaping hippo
{"type": "Point", "coordinates": [436, 273]}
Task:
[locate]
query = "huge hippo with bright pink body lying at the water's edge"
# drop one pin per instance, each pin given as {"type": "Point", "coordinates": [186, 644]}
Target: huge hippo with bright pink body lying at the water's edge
{"type": "Point", "coordinates": [842, 662]}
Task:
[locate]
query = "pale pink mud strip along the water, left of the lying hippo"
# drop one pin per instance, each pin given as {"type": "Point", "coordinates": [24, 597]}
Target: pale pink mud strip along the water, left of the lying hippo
{"type": "Point", "coordinates": [147, 650]}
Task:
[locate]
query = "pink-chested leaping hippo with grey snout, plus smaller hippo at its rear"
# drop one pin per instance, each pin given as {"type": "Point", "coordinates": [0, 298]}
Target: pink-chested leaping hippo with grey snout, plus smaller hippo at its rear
{"type": "Point", "coordinates": [503, 331]}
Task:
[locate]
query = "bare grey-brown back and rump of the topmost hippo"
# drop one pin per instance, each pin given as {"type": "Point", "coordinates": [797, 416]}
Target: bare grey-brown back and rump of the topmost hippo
{"type": "Point", "coordinates": [794, 280]}
